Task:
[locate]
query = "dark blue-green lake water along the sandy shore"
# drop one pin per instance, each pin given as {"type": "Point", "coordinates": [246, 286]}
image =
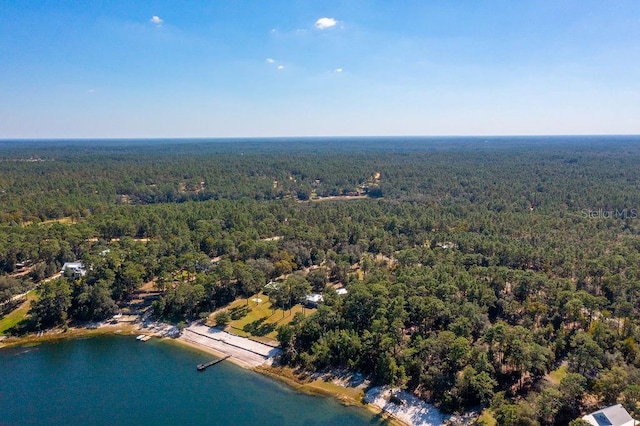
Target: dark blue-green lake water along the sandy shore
{"type": "Point", "coordinates": [120, 381]}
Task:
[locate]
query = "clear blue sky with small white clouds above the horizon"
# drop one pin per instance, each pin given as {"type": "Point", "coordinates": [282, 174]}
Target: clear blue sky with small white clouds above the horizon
{"type": "Point", "coordinates": [233, 68]}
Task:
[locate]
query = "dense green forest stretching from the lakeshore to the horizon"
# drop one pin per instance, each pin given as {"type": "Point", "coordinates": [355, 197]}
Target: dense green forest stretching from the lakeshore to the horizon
{"type": "Point", "coordinates": [474, 267]}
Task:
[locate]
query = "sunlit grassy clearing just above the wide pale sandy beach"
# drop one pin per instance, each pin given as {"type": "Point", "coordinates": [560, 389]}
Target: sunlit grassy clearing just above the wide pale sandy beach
{"type": "Point", "coordinates": [261, 320]}
